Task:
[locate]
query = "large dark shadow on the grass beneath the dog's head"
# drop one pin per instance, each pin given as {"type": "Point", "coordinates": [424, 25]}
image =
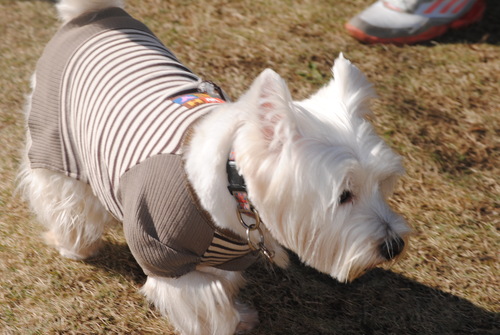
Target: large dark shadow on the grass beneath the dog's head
{"type": "Point", "coordinates": [303, 301]}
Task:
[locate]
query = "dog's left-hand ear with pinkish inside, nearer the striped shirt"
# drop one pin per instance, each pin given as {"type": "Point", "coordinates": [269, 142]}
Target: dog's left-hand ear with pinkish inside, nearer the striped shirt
{"type": "Point", "coordinates": [273, 108]}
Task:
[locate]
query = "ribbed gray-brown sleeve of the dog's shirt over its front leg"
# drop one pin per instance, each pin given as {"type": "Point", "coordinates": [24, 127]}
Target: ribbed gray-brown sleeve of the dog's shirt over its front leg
{"type": "Point", "coordinates": [164, 230]}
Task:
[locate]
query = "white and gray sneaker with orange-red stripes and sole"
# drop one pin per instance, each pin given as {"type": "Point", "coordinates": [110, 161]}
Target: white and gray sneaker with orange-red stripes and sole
{"type": "Point", "coordinates": [412, 21]}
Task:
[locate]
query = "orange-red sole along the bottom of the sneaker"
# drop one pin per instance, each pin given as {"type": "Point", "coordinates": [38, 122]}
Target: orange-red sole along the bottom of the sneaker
{"type": "Point", "coordinates": [473, 15]}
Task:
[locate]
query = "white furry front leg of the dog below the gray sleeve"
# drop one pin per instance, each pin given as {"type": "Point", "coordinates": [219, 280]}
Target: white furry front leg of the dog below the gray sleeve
{"type": "Point", "coordinates": [201, 302]}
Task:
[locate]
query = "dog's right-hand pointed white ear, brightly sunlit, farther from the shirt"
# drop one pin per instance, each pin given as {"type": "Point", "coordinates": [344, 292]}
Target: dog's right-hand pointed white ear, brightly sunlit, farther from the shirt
{"type": "Point", "coordinates": [351, 87]}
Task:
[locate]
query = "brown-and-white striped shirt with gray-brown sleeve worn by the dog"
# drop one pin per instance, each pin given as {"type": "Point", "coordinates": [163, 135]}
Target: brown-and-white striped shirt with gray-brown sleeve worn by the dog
{"type": "Point", "coordinates": [110, 108]}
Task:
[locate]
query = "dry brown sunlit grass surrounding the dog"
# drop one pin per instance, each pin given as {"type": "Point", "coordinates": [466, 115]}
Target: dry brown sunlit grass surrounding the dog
{"type": "Point", "coordinates": [438, 107]}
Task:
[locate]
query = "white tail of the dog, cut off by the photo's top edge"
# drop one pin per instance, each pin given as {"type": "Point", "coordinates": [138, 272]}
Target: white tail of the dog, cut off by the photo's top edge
{"type": "Point", "coordinates": [69, 9]}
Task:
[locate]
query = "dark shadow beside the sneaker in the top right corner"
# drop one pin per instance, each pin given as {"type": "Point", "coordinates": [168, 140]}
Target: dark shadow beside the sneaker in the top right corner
{"type": "Point", "coordinates": [485, 31]}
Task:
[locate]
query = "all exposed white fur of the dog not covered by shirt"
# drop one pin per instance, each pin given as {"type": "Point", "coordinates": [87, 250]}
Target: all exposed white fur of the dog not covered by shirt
{"type": "Point", "coordinates": [297, 159]}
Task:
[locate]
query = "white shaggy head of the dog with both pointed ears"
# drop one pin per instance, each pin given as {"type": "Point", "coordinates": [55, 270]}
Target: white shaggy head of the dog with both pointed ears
{"type": "Point", "coordinates": [318, 173]}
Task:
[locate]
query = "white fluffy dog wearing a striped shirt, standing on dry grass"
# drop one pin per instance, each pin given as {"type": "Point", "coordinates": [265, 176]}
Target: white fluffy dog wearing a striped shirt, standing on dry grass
{"type": "Point", "coordinates": [119, 128]}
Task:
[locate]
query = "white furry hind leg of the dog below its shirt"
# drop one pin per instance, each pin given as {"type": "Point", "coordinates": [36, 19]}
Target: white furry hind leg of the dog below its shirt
{"type": "Point", "coordinates": [74, 217]}
